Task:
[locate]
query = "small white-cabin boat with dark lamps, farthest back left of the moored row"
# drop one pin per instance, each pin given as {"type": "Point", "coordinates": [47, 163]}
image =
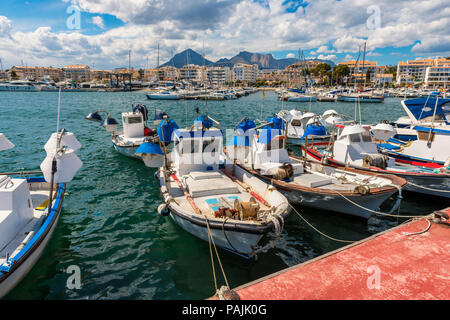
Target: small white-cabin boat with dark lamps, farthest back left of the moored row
{"type": "Point", "coordinates": [136, 140]}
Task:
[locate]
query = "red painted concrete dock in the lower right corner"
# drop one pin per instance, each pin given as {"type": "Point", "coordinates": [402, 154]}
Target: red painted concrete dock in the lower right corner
{"type": "Point", "coordinates": [388, 265]}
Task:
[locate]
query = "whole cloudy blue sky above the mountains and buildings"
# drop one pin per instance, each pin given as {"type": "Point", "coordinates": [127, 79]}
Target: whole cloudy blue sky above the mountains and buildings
{"type": "Point", "coordinates": [100, 33]}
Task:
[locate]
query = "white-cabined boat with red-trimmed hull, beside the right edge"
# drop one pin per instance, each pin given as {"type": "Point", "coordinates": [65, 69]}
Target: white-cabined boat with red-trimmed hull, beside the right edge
{"type": "Point", "coordinates": [354, 148]}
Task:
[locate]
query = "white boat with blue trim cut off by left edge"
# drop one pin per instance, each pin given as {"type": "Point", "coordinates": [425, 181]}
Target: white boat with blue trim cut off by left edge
{"type": "Point", "coordinates": [30, 207]}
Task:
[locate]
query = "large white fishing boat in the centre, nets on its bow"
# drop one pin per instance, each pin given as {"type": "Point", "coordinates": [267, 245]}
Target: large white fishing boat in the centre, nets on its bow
{"type": "Point", "coordinates": [217, 200]}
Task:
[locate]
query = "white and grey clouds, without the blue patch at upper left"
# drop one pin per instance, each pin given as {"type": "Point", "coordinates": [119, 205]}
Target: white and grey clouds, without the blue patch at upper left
{"type": "Point", "coordinates": [229, 26]}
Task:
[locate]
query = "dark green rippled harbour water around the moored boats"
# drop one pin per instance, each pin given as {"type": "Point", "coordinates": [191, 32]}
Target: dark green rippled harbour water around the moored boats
{"type": "Point", "coordinates": [109, 225]}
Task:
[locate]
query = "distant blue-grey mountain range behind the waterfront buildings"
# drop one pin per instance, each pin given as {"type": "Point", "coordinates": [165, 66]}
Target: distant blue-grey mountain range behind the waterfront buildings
{"type": "Point", "coordinates": [264, 61]}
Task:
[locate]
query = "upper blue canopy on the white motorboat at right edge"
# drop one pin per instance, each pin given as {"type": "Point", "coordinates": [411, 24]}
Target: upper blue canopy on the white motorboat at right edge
{"type": "Point", "coordinates": [421, 108]}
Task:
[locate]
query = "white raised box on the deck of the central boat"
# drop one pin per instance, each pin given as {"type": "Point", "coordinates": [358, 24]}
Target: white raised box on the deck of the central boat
{"type": "Point", "coordinates": [210, 186]}
